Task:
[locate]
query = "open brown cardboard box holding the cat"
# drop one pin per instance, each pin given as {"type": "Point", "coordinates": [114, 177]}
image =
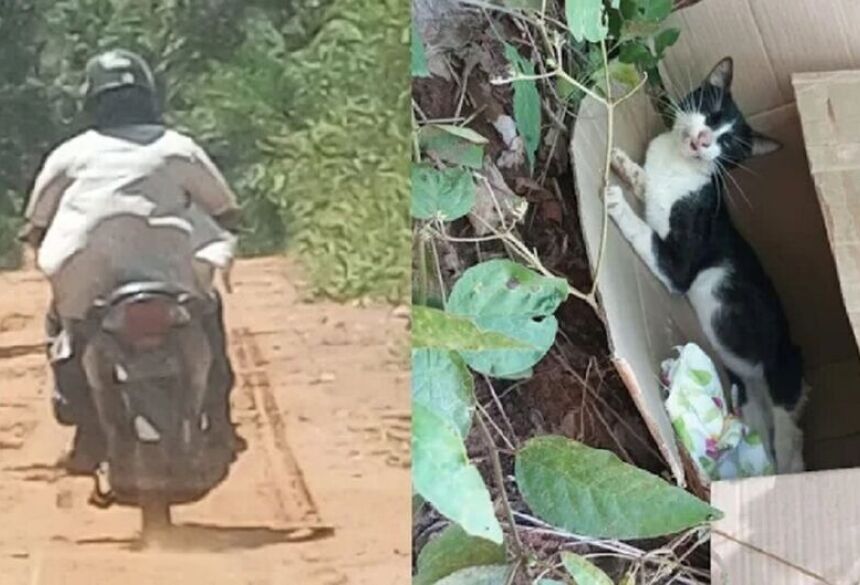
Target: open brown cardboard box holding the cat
{"type": "Point", "coordinates": [810, 521]}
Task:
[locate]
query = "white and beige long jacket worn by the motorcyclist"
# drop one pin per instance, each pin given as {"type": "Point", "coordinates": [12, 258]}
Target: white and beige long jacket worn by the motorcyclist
{"type": "Point", "coordinates": [133, 203]}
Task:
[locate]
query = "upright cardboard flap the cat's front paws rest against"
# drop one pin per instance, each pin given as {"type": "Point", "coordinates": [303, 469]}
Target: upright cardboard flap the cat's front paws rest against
{"type": "Point", "coordinates": [644, 322]}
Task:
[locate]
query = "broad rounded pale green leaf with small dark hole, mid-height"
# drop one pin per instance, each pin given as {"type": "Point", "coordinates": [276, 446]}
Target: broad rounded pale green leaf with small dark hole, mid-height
{"type": "Point", "coordinates": [503, 296]}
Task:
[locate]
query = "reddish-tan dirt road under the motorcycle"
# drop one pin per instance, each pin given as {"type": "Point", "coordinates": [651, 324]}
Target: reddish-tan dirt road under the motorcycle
{"type": "Point", "coordinates": [320, 497]}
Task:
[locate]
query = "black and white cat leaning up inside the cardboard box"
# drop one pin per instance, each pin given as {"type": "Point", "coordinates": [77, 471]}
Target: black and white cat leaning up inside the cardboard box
{"type": "Point", "coordinates": [689, 242]}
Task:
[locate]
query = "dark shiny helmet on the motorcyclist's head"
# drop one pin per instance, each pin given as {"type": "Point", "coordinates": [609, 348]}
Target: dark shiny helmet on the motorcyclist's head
{"type": "Point", "coordinates": [117, 69]}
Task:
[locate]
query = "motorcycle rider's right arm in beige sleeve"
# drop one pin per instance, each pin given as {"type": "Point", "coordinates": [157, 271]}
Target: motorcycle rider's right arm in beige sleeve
{"type": "Point", "coordinates": [207, 187]}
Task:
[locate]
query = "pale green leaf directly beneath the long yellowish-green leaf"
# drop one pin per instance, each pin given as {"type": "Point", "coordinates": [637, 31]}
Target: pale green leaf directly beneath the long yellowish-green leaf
{"type": "Point", "coordinates": [442, 383]}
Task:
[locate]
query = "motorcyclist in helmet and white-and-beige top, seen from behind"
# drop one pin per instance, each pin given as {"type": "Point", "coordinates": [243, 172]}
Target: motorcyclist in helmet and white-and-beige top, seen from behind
{"type": "Point", "coordinates": [154, 198]}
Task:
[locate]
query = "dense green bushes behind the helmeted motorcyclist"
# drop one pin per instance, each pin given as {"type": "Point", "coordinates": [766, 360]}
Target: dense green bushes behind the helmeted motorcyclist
{"type": "Point", "coordinates": [296, 101]}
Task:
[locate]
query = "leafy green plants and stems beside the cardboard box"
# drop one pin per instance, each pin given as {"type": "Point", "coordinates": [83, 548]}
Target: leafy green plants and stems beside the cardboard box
{"type": "Point", "coordinates": [496, 320]}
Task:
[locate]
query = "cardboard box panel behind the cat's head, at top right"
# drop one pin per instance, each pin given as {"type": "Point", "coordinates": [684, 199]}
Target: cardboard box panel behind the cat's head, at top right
{"type": "Point", "coordinates": [769, 40]}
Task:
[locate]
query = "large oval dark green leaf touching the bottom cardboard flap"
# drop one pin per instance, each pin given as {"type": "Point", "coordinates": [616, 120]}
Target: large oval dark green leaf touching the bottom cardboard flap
{"type": "Point", "coordinates": [593, 492]}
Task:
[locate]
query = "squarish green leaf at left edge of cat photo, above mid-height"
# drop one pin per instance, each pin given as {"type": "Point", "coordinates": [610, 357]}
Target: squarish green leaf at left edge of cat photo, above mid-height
{"type": "Point", "coordinates": [447, 194]}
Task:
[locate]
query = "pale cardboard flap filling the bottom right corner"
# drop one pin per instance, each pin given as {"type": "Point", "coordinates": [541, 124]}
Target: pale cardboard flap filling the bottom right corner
{"type": "Point", "coordinates": [791, 530]}
